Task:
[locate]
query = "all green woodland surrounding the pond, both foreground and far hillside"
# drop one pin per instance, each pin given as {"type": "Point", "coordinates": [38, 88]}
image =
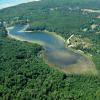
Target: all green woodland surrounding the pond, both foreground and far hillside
{"type": "Point", "coordinates": [23, 72]}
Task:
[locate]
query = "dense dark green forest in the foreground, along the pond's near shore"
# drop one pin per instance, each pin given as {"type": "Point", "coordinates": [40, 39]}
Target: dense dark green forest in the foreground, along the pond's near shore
{"type": "Point", "coordinates": [25, 76]}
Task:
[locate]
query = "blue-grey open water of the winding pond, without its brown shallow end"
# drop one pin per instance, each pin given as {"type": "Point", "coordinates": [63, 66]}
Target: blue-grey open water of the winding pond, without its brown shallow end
{"type": "Point", "coordinates": [55, 51]}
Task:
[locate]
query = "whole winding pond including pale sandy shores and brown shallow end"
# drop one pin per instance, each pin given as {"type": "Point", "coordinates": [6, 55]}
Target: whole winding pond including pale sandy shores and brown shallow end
{"type": "Point", "coordinates": [56, 54]}
